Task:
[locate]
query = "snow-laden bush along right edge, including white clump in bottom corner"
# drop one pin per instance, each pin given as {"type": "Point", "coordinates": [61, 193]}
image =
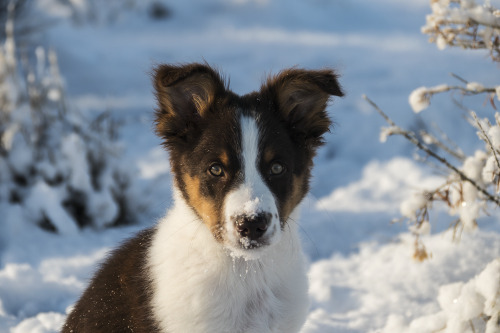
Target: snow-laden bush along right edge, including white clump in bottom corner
{"type": "Point", "coordinates": [472, 183]}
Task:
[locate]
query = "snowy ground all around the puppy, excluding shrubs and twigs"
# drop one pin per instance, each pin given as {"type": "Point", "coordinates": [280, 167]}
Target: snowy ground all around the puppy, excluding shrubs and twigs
{"type": "Point", "coordinates": [363, 277]}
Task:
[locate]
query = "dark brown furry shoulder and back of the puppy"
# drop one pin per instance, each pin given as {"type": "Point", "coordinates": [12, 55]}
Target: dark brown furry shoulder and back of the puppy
{"type": "Point", "coordinates": [122, 279]}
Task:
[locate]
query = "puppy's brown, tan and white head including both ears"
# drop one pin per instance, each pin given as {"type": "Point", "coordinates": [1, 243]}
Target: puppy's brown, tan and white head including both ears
{"type": "Point", "coordinates": [242, 163]}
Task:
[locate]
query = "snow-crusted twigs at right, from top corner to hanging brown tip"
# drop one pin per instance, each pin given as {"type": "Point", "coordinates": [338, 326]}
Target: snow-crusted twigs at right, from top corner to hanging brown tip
{"type": "Point", "coordinates": [473, 183]}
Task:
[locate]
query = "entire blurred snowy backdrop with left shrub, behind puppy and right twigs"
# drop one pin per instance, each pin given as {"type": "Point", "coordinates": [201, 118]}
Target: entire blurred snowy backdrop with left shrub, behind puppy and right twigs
{"type": "Point", "coordinates": [80, 169]}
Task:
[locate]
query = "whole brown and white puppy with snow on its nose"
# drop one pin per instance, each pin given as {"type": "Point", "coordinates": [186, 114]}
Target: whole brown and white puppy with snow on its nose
{"type": "Point", "coordinates": [227, 256]}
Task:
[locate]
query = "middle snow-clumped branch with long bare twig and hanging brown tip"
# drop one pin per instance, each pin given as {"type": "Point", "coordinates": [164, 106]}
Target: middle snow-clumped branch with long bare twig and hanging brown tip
{"type": "Point", "coordinates": [464, 191]}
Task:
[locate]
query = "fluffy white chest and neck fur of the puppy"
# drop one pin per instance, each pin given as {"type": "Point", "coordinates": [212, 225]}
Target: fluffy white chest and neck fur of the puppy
{"type": "Point", "coordinates": [199, 287]}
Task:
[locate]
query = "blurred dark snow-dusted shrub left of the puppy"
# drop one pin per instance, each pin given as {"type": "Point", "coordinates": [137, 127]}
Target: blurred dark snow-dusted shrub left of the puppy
{"type": "Point", "coordinates": [62, 169]}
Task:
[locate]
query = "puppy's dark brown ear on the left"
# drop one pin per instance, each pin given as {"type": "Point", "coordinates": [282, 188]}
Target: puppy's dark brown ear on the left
{"type": "Point", "coordinates": [184, 94]}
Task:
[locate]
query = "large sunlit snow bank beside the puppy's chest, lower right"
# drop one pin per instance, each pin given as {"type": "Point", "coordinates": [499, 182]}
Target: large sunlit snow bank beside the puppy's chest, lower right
{"type": "Point", "coordinates": [380, 282]}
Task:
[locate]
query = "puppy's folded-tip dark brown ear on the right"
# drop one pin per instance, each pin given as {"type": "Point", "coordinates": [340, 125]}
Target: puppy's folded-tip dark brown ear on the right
{"type": "Point", "coordinates": [302, 97]}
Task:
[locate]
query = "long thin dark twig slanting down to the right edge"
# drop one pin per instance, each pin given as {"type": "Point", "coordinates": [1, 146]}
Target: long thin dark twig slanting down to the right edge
{"type": "Point", "coordinates": [413, 139]}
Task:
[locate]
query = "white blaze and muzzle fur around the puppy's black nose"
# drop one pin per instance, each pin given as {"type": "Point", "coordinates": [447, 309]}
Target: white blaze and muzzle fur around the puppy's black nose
{"type": "Point", "coordinates": [252, 196]}
